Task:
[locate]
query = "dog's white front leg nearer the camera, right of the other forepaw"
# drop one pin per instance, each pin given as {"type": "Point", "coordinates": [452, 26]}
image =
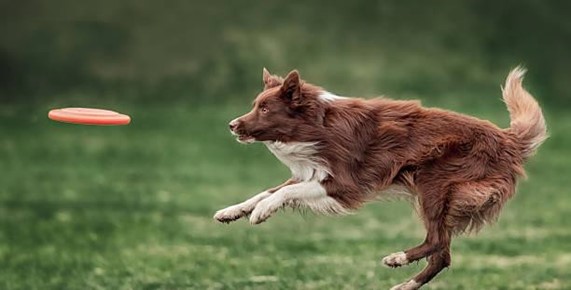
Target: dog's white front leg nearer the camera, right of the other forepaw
{"type": "Point", "coordinates": [306, 194]}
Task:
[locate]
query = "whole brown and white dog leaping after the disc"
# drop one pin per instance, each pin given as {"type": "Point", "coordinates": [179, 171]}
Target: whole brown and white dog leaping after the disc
{"type": "Point", "coordinates": [458, 170]}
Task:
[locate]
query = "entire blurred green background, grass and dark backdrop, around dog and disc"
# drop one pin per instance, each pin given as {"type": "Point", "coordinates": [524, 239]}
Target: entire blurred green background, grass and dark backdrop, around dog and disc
{"type": "Point", "coordinates": [130, 207]}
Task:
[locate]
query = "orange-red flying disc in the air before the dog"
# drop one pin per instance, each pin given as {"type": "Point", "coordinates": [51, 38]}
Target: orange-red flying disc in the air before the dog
{"type": "Point", "coordinates": [89, 116]}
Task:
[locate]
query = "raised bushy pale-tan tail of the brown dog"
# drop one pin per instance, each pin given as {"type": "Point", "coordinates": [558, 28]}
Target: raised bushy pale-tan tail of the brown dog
{"type": "Point", "coordinates": [526, 119]}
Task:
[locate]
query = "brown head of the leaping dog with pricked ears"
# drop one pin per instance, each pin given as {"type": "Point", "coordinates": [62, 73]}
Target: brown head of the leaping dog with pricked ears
{"type": "Point", "coordinates": [281, 112]}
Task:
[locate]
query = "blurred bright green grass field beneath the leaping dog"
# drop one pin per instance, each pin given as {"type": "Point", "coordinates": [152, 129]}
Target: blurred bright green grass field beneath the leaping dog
{"type": "Point", "coordinates": [131, 208]}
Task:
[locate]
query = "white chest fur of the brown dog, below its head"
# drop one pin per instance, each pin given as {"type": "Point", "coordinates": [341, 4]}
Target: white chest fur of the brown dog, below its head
{"type": "Point", "coordinates": [301, 159]}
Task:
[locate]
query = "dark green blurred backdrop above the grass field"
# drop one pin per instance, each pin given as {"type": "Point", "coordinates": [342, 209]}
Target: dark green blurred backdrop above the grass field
{"type": "Point", "coordinates": [211, 51]}
